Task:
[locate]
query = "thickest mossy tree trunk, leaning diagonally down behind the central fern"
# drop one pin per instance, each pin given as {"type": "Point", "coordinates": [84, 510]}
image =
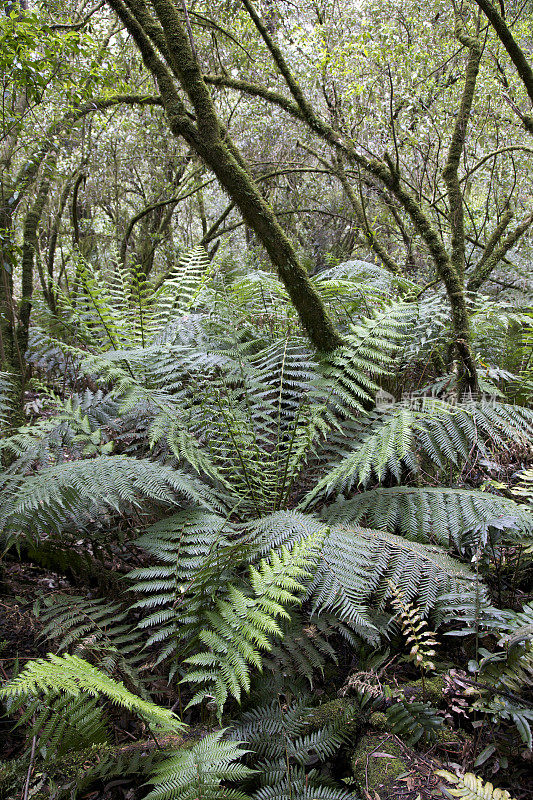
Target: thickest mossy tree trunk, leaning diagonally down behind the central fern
{"type": "Point", "coordinates": [168, 52]}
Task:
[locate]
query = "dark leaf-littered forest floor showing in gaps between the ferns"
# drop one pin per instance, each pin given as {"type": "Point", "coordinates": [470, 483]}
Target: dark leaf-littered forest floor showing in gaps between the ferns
{"type": "Point", "coordinates": [383, 766]}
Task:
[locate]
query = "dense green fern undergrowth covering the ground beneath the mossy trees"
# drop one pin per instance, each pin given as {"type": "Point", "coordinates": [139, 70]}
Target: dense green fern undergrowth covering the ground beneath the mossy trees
{"type": "Point", "coordinates": [265, 582]}
